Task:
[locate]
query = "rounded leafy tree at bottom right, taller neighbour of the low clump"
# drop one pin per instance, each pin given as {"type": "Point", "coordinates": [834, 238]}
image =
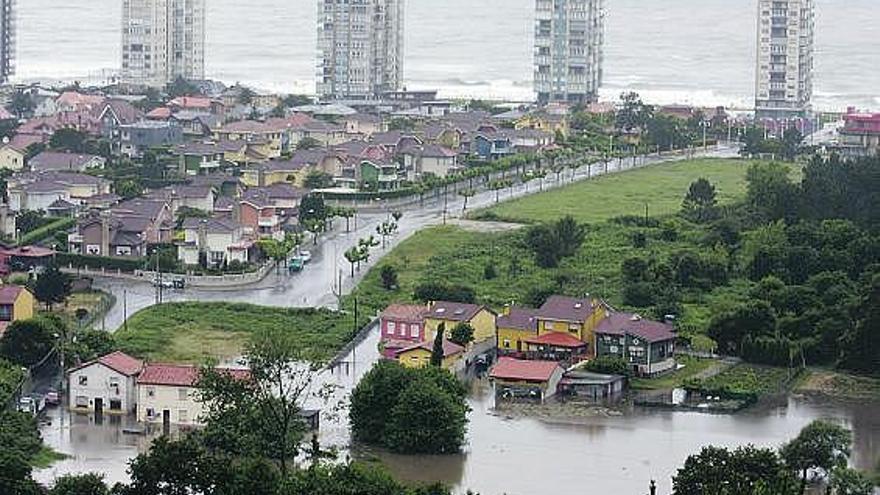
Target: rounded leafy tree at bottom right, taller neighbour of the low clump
{"type": "Point", "coordinates": [820, 445]}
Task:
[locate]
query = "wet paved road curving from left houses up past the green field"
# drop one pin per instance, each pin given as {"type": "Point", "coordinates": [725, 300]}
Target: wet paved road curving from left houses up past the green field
{"type": "Point", "coordinates": [315, 286]}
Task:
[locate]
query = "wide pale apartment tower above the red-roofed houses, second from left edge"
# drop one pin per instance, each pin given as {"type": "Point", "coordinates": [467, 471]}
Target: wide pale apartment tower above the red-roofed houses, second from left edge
{"type": "Point", "coordinates": [162, 40]}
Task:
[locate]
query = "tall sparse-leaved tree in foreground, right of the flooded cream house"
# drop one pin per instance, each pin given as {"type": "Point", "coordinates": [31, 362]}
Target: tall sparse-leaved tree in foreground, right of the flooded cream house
{"type": "Point", "coordinates": [259, 415]}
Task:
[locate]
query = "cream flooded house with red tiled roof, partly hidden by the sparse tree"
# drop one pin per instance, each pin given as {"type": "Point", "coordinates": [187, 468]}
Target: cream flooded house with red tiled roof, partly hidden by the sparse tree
{"type": "Point", "coordinates": [167, 394]}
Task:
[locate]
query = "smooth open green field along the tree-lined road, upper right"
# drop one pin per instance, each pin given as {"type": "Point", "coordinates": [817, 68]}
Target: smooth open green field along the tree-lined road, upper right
{"type": "Point", "coordinates": [662, 187]}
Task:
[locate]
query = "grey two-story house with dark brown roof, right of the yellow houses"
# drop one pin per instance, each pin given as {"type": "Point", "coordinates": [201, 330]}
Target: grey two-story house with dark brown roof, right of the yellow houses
{"type": "Point", "coordinates": [648, 346]}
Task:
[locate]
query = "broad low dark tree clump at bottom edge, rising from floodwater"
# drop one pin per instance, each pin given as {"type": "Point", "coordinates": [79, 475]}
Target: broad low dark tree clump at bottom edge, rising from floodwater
{"type": "Point", "coordinates": [744, 471]}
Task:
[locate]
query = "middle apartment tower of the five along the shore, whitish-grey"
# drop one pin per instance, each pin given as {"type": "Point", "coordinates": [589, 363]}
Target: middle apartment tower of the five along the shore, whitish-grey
{"type": "Point", "coordinates": [360, 48]}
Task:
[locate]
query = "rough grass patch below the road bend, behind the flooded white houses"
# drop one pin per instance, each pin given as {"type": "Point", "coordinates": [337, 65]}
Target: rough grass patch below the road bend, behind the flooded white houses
{"type": "Point", "coordinates": [195, 332]}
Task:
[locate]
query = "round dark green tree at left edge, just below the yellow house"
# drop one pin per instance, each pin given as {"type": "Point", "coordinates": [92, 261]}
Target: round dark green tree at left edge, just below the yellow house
{"type": "Point", "coordinates": [27, 342]}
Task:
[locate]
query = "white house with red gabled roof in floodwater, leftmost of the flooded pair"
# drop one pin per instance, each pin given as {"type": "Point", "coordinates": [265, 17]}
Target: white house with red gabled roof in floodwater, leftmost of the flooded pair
{"type": "Point", "coordinates": [106, 384]}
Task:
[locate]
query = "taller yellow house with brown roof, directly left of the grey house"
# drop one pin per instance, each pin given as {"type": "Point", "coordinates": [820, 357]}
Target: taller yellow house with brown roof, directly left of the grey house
{"type": "Point", "coordinates": [575, 316]}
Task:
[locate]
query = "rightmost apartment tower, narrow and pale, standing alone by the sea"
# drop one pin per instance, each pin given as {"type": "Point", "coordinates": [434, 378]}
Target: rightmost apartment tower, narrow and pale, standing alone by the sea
{"type": "Point", "coordinates": [784, 81]}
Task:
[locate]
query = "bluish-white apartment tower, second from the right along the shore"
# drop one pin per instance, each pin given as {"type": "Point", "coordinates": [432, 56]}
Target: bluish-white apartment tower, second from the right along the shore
{"type": "Point", "coordinates": [569, 46]}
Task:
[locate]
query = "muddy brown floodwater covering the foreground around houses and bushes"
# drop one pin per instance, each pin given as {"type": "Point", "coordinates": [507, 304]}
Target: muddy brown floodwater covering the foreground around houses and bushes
{"type": "Point", "coordinates": [525, 450]}
